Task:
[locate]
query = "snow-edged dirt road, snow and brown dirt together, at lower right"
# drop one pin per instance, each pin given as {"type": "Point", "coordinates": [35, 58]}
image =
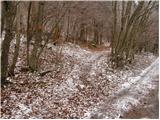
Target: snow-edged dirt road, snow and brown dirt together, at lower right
{"type": "Point", "coordinates": [137, 98]}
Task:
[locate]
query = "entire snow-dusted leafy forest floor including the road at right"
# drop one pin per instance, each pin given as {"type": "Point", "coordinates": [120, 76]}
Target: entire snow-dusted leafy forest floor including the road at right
{"type": "Point", "coordinates": [81, 84]}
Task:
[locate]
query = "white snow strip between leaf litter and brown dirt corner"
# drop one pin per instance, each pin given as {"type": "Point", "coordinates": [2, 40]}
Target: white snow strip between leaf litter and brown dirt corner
{"type": "Point", "coordinates": [135, 92]}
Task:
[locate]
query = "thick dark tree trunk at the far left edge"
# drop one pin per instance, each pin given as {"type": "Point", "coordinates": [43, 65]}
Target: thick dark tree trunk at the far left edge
{"type": "Point", "coordinates": [10, 15]}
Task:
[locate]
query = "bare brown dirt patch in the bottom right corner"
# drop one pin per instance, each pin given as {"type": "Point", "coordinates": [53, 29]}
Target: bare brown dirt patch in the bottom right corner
{"type": "Point", "coordinates": [148, 110]}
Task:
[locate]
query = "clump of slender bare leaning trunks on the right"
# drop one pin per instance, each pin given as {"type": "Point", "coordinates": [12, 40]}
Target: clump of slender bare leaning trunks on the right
{"type": "Point", "coordinates": [133, 22]}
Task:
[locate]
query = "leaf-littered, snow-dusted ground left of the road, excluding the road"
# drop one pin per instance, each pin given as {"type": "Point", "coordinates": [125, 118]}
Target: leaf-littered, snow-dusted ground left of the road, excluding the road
{"type": "Point", "coordinates": [80, 81]}
